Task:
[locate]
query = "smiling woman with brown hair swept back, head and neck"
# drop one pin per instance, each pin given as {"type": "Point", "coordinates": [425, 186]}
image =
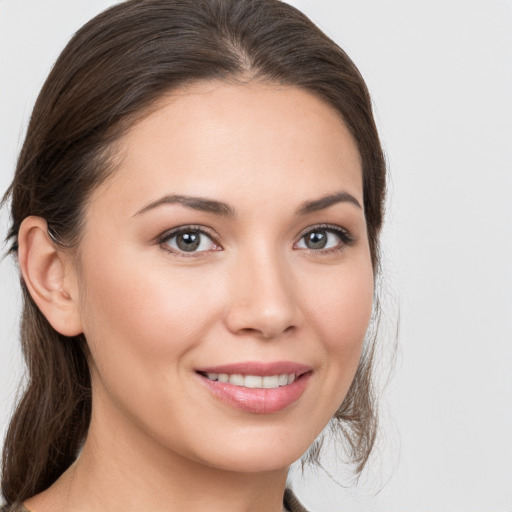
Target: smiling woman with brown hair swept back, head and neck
{"type": "Point", "coordinates": [195, 212]}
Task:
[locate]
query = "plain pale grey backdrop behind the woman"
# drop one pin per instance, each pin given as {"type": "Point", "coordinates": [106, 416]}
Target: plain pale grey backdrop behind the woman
{"type": "Point", "coordinates": [440, 72]}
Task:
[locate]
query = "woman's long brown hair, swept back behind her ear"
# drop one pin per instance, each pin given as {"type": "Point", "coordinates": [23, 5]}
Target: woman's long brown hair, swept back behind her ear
{"type": "Point", "coordinates": [111, 72]}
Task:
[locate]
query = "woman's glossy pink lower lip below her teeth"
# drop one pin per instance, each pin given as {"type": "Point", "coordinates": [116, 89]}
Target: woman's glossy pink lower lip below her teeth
{"type": "Point", "coordinates": [258, 400]}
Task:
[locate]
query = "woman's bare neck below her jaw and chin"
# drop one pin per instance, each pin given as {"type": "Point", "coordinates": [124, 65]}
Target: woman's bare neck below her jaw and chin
{"type": "Point", "coordinates": [122, 470]}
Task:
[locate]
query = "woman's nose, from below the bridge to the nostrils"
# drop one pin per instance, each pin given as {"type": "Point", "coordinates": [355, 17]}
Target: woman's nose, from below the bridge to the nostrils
{"type": "Point", "coordinates": [263, 300]}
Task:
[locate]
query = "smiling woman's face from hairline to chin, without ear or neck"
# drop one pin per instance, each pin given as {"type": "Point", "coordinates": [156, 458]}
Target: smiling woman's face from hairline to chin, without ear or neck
{"type": "Point", "coordinates": [230, 245]}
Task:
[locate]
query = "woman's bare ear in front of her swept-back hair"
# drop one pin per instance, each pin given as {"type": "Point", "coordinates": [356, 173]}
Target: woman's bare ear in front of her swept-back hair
{"type": "Point", "coordinates": [49, 276]}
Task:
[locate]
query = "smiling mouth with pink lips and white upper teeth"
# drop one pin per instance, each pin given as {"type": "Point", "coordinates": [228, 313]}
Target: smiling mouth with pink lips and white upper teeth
{"type": "Point", "coordinates": [260, 388]}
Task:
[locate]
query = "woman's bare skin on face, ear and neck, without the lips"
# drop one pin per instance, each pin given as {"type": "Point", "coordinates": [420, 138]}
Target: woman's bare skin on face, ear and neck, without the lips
{"type": "Point", "coordinates": [159, 439]}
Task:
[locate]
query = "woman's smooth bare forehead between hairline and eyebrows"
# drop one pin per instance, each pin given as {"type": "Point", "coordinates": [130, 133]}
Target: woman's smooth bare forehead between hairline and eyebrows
{"type": "Point", "coordinates": [216, 139]}
